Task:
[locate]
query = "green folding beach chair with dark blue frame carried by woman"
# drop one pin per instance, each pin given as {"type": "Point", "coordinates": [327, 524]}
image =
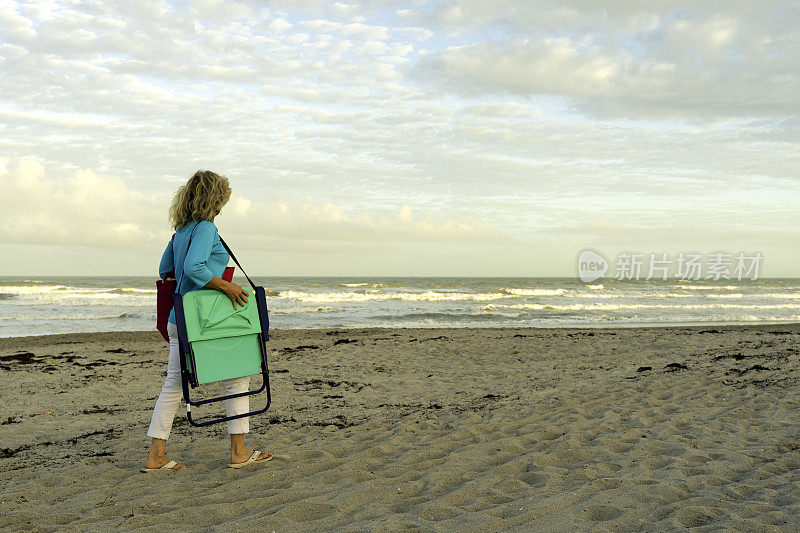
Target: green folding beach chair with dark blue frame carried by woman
{"type": "Point", "coordinates": [218, 342]}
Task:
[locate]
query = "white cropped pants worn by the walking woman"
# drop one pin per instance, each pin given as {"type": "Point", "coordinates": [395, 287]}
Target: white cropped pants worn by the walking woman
{"type": "Point", "coordinates": [171, 393]}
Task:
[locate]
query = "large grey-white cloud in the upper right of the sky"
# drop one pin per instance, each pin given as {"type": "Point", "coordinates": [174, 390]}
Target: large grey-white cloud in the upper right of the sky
{"type": "Point", "coordinates": [654, 61]}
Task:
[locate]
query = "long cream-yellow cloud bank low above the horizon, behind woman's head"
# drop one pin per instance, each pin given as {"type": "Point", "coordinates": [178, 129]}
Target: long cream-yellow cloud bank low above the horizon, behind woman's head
{"type": "Point", "coordinates": [99, 210]}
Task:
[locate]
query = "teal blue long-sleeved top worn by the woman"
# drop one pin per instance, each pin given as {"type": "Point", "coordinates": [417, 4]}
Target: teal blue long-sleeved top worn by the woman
{"type": "Point", "coordinates": [194, 268]}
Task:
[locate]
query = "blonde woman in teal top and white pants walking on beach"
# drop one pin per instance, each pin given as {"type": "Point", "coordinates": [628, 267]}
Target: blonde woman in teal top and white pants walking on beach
{"type": "Point", "coordinates": [192, 214]}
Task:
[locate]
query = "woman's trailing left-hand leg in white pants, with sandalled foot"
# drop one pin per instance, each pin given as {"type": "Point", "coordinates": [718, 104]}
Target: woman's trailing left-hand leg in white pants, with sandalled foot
{"type": "Point", "coordinates": [166, 405]}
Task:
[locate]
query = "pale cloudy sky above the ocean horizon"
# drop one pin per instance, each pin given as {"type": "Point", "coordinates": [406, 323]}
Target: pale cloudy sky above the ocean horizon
{"type": "Point", "coordinates": [400, 138]}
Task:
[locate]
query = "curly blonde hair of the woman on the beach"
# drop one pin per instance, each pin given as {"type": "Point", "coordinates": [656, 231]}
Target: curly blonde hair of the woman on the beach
{"type": "Point", "coordinates": [202, 198]}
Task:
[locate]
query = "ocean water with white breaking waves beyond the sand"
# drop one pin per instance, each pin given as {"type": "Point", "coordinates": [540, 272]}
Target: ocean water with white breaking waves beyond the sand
{"type": "Point", "coordinates": [47, 305]}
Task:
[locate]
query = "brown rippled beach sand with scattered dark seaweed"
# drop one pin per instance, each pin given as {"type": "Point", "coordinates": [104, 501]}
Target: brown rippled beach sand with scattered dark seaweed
{"type": "Point", "coordinates": [419, 429]}
